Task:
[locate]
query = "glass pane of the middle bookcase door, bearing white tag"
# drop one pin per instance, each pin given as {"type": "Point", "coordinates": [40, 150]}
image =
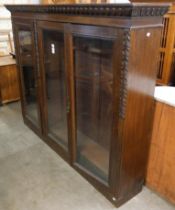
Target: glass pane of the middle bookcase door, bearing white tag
{"type": "Point", "coordinates": [55, 86]}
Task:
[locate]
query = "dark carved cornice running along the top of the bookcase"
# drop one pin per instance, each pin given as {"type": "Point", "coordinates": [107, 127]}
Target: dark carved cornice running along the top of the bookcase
{"type": "Point", "coordinates": [109, 10]}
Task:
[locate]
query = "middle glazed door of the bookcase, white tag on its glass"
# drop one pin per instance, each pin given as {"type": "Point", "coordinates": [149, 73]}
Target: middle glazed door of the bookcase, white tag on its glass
{"type": "Point", "coordinates": [56, 103]}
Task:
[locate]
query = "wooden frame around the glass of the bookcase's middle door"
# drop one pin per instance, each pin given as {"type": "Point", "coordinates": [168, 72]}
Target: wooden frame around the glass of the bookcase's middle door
{"type": "Point", "coordinates": [59, 27]}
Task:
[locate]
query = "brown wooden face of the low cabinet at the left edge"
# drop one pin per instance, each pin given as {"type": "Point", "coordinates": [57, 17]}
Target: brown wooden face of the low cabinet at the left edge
{"type": "Point", "coordinates": [9, 83]}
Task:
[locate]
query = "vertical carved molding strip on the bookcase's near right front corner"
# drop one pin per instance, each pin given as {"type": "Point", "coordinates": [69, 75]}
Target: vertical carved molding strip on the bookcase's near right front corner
{"type": "Point", "coordinates": [124, 73]}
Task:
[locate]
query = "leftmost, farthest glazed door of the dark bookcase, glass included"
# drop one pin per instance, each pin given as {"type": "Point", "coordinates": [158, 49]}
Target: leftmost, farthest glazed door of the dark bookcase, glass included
{"type": "Point", "coordinates": [29, 77]}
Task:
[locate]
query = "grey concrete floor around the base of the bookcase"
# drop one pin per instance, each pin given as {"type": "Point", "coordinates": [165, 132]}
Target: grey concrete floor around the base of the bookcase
{"type": "Point", "coordinates": [33, 177]}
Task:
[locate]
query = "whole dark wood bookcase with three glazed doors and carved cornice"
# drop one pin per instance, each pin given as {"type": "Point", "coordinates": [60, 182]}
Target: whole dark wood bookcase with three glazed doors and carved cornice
{"type": "Point", "coordinates": [87, 85]}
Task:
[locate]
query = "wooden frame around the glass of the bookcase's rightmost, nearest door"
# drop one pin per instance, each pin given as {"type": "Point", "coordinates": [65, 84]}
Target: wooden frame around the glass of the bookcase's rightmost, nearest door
{"type": "Point", "coordinates": [112, 187]}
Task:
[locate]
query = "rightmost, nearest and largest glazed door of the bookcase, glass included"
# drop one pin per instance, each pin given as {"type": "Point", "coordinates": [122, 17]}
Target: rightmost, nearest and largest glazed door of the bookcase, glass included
{"type": "Point", "coordinates": [92, 79]}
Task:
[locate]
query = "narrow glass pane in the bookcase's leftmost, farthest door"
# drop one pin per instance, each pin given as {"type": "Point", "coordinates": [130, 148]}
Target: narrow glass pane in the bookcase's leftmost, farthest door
{"type": "Point", "coordinates": [28, 72]}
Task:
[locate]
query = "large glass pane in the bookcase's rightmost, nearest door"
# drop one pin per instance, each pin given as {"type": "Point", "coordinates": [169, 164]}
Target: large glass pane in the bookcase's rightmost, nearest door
{"type": "Point", "coordinates": [93, 86]}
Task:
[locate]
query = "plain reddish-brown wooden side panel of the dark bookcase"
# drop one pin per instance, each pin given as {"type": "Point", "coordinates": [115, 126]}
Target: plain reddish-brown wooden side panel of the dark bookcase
{"type": "Point", "coordinates": [139, 109]}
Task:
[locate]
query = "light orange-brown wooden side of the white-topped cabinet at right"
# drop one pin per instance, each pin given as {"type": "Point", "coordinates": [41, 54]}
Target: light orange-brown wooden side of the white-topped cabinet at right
{"type": "Point", "coordinates": [161, 164]}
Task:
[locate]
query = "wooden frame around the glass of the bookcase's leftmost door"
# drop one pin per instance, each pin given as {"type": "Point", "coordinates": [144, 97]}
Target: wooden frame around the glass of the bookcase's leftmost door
{"type": "Point", "coordinates": [29, 25]}
